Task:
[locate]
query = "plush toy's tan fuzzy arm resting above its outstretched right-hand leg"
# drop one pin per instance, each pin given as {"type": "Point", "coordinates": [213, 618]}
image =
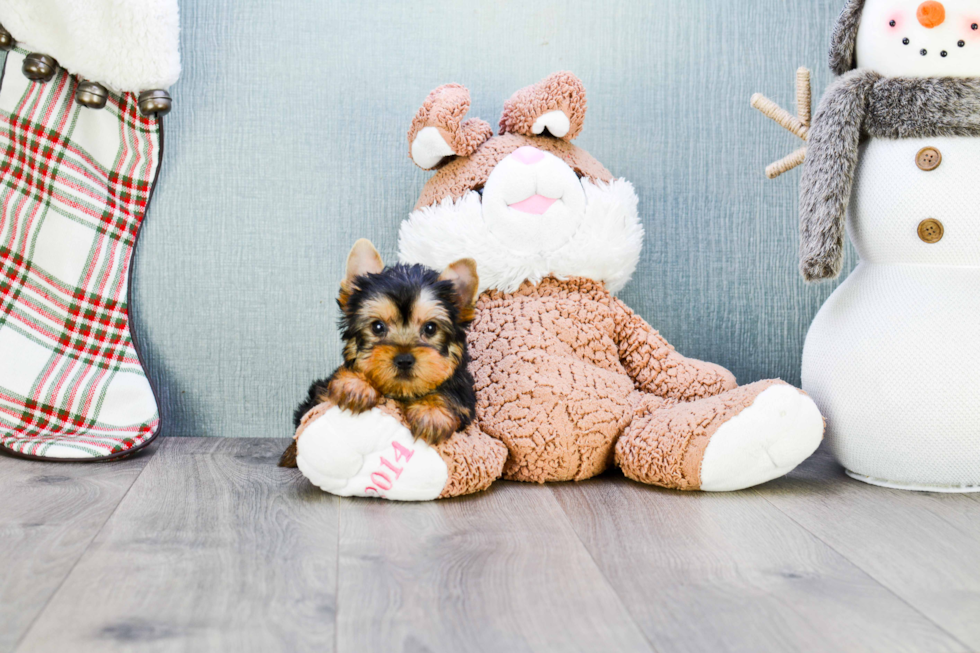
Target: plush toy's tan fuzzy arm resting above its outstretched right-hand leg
{"type": "Point", "coordinates": [657, 368]}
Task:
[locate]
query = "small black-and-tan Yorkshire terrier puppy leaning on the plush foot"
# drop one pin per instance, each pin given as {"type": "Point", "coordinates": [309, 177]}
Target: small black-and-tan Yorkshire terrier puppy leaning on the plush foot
{"type": "Point", "coordinates": [404, 332]}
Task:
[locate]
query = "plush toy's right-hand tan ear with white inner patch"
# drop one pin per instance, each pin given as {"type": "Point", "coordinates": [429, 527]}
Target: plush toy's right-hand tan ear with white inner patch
{"type": "Point", "coordinates": [556, 104]}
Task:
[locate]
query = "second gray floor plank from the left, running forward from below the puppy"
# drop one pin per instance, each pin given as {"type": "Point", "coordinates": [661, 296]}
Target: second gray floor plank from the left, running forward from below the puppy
{"type": "Point", "coordinates": [216, 547]}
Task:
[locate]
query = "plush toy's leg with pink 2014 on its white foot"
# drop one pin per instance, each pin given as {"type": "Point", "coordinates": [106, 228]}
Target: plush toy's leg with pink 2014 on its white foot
{"type": "Point", "coordinates": [374, 455]}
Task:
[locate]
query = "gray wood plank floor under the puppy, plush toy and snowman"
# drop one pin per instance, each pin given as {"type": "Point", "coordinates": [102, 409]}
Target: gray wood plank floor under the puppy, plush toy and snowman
{"type": "Point", "coordinates": [205, 545]}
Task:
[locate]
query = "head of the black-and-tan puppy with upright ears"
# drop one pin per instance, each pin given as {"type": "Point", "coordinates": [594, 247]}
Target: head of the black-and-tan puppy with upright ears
{"type": "Point", "coordinates": [404, 326]}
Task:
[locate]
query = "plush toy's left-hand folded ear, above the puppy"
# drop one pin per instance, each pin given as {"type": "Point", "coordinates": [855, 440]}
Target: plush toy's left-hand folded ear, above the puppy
{"type": "Point", "coordinates": [439, 130]}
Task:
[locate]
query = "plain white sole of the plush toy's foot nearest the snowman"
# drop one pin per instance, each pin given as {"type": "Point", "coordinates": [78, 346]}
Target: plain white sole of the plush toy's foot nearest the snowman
{"type": "Point", "coordinates": [779, 430]}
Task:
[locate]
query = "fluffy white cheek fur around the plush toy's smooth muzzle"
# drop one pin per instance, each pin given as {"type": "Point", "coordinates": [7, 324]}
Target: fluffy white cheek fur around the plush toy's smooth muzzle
{"type": "Point", "coordinates": [605, 248]}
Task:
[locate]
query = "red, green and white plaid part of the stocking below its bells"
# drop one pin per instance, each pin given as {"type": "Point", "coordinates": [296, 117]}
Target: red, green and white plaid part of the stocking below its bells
{"type": "Point", "coordinates": [74, 186]}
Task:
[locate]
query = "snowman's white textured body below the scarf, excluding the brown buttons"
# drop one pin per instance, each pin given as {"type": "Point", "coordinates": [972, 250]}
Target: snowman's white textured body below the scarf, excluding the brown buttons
{"type": "Point", "coordinates": [893, 357]}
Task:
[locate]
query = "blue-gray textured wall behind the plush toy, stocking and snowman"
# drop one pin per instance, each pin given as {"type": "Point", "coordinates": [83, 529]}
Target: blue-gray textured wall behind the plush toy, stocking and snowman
{"type": "Point", "coordinates": [287, 142]}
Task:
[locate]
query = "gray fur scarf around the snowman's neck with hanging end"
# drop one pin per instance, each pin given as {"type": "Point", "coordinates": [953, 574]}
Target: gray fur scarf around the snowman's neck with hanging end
{"type": "Point", "coordinates": [864, 103]}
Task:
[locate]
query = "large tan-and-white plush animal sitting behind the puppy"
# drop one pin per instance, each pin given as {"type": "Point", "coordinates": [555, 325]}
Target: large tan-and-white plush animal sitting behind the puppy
{"type": "Point", "coordinates": [569, 380]}
